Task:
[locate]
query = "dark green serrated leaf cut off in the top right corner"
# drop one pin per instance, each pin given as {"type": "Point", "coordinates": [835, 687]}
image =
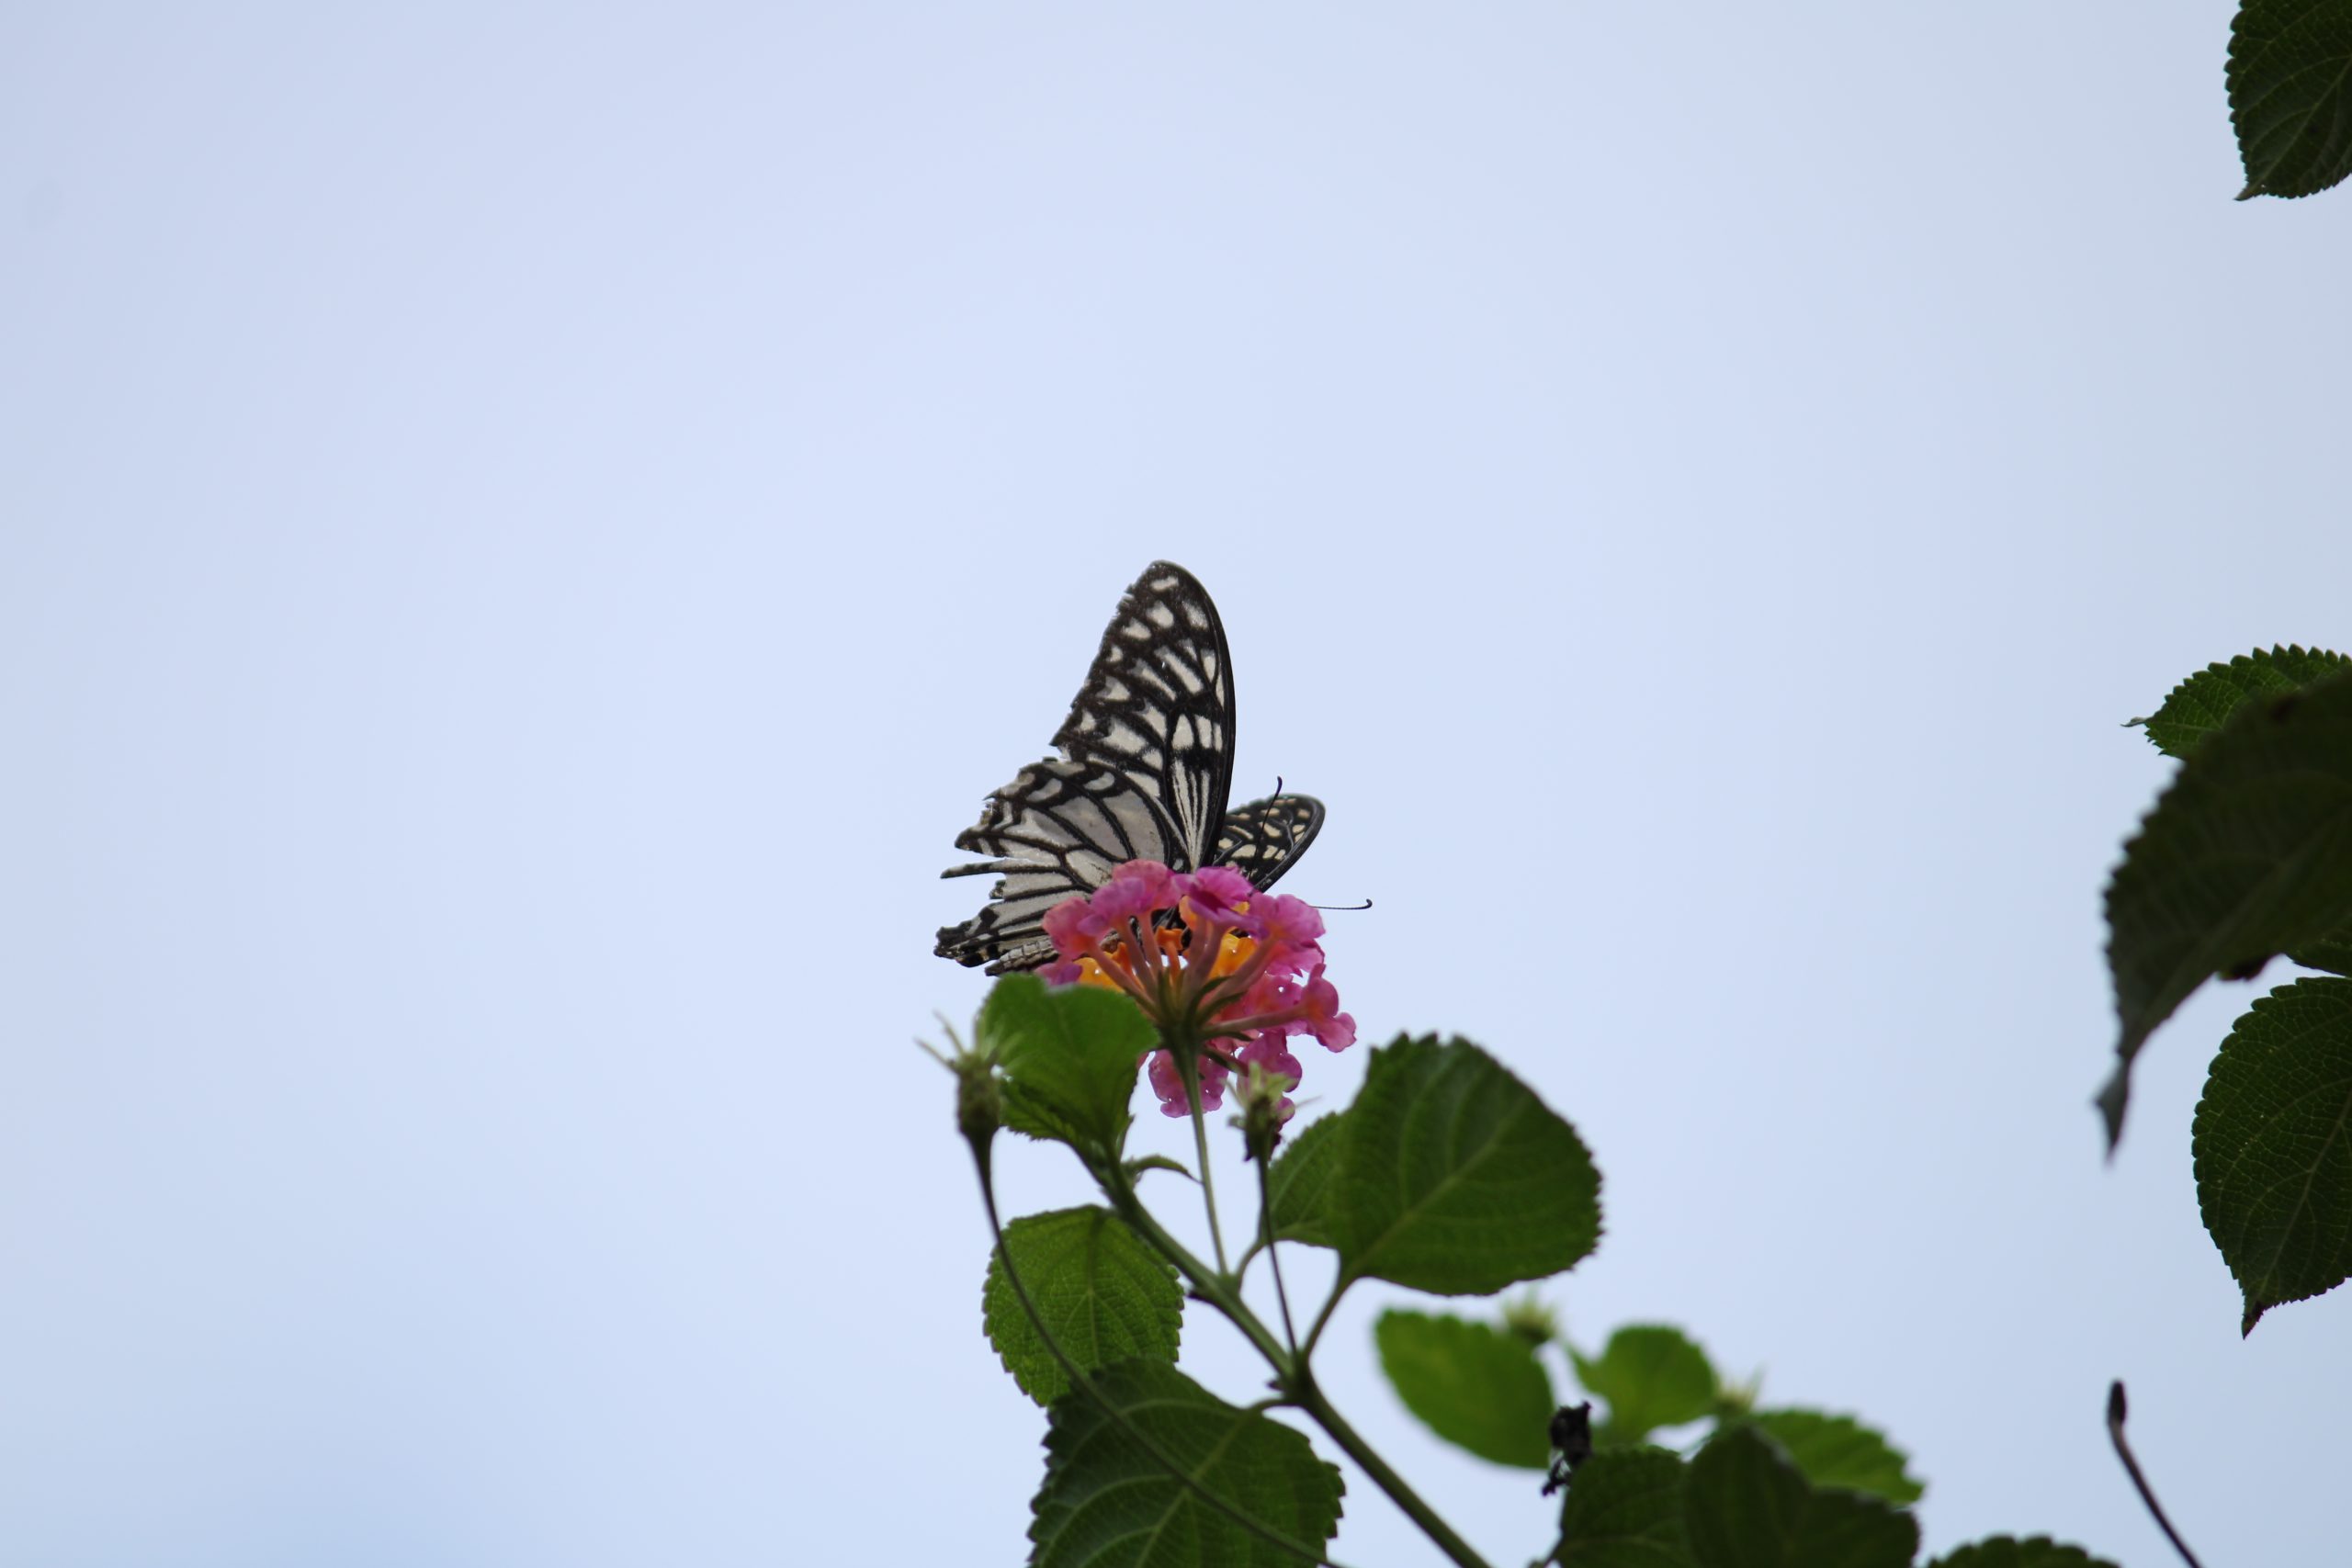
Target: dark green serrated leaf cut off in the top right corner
{"type": "Point", "coordinates": [2290, 62]}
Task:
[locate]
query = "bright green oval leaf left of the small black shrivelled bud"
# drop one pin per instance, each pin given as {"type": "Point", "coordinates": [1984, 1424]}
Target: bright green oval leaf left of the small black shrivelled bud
{"type": "Point", "coordinates": [1476, 1386]}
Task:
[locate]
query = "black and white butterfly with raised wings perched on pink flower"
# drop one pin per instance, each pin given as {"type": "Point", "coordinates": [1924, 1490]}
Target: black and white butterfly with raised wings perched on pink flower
{"type": "Point", "coordinates": [1147, 758]}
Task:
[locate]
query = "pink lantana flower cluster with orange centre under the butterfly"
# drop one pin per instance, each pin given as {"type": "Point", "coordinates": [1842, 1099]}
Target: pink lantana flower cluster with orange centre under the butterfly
{"type": "Point", "coordinates": [1234, 979]}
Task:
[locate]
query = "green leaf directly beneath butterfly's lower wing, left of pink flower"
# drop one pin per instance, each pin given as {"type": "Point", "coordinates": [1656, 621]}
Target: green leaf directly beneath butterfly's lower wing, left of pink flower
{"type": "Point", "coordinates": [1069, 1059]}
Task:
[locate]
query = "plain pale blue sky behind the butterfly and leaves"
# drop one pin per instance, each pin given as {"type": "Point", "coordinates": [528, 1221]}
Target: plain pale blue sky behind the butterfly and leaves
{"type": "Point", "coordinates": [528, 532]}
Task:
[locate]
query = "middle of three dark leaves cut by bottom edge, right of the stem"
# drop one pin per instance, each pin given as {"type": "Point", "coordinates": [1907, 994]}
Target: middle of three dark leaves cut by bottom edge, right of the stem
{"type": "Point", "coordinates": [1749, 1508]}
